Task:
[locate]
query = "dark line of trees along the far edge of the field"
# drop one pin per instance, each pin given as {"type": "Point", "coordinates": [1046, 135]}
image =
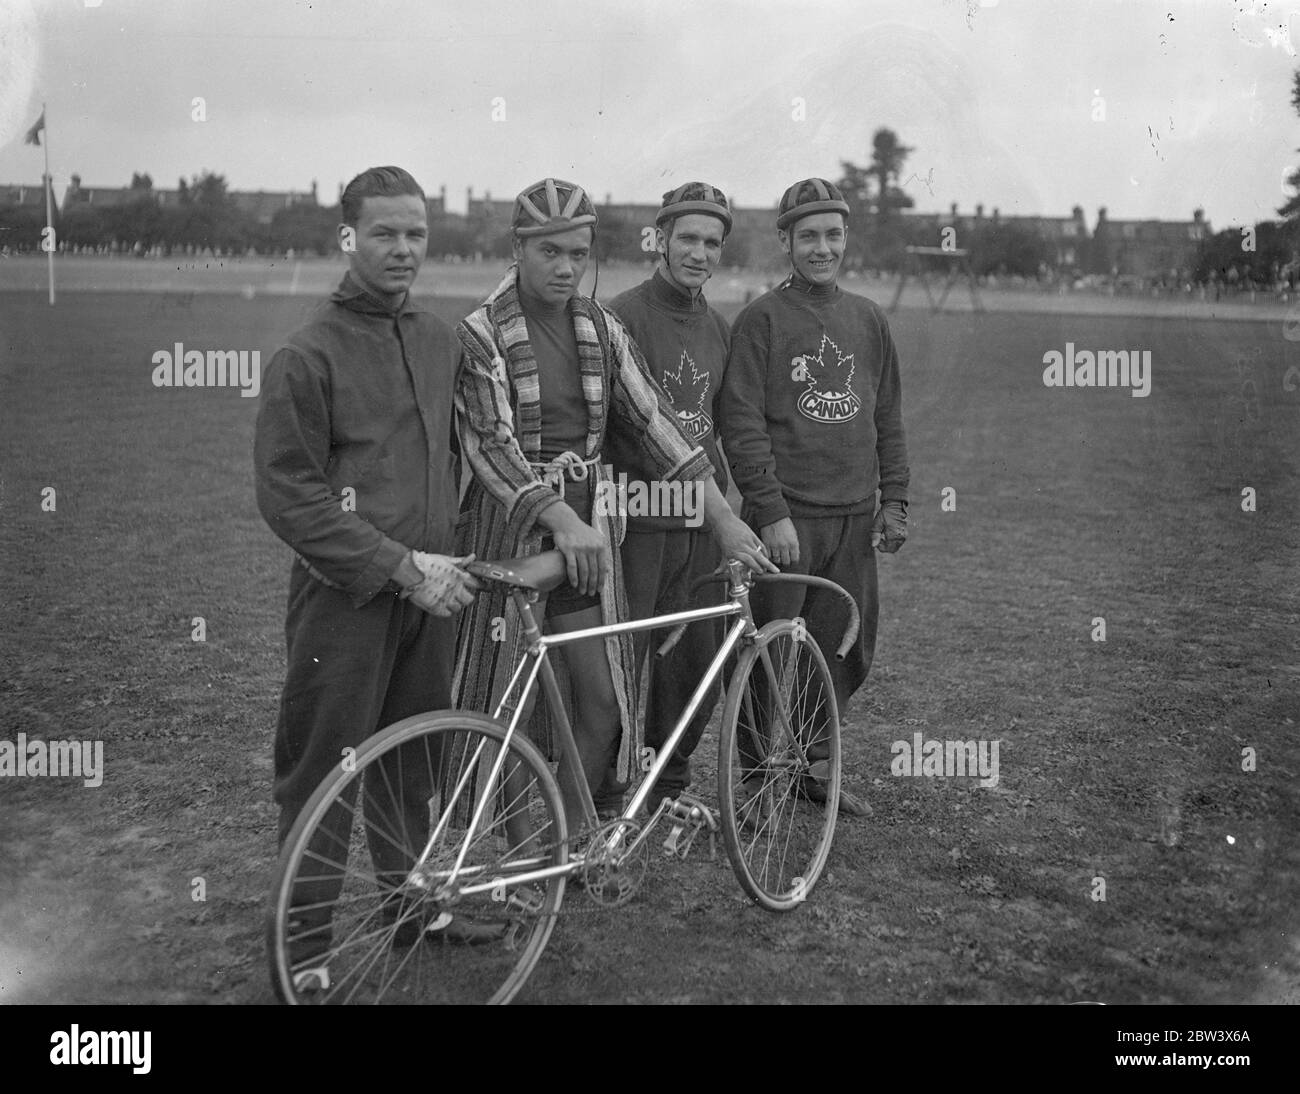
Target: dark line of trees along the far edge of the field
{"type": "Point", "coordinates": [207, 219]}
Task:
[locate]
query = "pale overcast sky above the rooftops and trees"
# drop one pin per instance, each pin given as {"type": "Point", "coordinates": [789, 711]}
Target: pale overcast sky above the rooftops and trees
{"type": "Point", "coordinates": [632, 97]}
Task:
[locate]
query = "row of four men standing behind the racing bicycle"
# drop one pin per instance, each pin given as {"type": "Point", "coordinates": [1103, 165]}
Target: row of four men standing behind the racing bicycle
{"type": "Point", "coordinates": [356, 468]}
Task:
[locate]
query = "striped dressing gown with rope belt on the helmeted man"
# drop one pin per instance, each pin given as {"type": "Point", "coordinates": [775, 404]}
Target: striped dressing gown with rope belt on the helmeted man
{"type": "Point", "coordinates": [499, 419]}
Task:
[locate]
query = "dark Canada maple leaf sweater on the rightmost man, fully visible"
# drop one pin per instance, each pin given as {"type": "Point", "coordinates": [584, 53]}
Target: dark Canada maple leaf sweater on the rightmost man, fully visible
{"type": "Point", "coordinates": [812, 407]}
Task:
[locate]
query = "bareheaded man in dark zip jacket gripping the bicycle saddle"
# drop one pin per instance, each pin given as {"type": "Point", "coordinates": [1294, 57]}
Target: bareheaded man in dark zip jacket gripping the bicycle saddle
{"type": "Point", "coordinates": [356, 471]}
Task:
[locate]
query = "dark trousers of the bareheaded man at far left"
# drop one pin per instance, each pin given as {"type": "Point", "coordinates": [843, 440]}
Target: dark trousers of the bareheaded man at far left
{"type": "Point", "coordinates": [353, 672]}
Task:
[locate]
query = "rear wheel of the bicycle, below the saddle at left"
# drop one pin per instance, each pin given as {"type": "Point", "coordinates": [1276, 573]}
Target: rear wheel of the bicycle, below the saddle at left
{"type": "Point", "coordinates": [362, 915]}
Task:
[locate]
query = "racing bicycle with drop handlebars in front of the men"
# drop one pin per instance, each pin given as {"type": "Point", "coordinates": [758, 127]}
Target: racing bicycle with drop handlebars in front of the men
{"type": "Point", "coordinates": [431, 865]}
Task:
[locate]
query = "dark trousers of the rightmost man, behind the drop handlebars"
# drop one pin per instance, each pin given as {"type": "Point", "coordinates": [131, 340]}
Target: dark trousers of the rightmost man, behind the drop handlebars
{"type": "Point", "coordinates": [838, 549]}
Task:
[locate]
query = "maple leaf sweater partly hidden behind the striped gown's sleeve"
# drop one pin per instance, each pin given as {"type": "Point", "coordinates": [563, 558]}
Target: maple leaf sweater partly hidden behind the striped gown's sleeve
{"type": "Point", "coordinates": [684, 344]}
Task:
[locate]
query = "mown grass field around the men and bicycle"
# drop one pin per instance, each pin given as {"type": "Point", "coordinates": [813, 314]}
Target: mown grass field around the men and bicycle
{"type": "Point", "coordinates": [1120, 759]}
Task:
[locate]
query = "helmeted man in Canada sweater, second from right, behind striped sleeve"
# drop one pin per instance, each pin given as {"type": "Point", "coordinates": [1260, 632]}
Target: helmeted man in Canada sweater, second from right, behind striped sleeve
{"type": "Point", "coordinates": [684, 342]}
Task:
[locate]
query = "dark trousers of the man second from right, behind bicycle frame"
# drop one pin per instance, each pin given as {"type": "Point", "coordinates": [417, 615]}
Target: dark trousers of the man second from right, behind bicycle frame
{"type": "Point", "coordinates": [658, 570]}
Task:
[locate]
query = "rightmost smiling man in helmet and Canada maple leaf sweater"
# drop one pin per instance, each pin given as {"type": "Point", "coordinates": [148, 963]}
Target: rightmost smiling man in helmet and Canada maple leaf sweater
{"type": "Point", "coordinates": [812, 416]}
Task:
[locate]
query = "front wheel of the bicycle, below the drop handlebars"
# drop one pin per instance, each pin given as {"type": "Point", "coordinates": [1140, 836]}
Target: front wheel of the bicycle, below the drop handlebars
{"type": "Point", "coordinates": [779, 766]}
